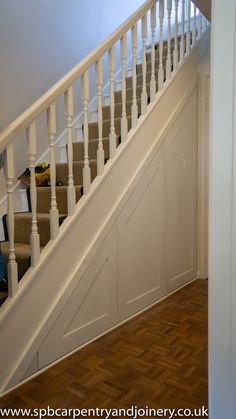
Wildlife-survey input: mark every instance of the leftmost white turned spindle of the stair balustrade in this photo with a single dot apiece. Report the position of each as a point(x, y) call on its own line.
point(12, 269)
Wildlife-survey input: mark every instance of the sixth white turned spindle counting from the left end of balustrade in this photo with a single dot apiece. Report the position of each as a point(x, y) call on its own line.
point(100, 151)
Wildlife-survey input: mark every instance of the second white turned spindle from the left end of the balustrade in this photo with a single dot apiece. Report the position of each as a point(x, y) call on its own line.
point(32, 151)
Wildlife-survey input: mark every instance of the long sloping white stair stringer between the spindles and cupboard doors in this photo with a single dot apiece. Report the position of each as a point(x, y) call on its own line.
point(64, 261)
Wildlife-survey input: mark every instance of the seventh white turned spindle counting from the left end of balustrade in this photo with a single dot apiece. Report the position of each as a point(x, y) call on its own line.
point(112, 136)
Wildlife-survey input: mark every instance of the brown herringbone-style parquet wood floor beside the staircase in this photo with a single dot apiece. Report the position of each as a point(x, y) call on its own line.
point(158, 359)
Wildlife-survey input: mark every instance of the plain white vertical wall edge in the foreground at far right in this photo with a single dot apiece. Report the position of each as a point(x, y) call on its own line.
point(222, 213)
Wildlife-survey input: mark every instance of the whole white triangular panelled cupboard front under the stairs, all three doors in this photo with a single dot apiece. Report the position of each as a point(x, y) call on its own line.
point(132, 269)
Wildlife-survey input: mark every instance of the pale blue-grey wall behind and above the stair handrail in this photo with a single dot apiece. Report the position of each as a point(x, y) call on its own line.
point(40, 40)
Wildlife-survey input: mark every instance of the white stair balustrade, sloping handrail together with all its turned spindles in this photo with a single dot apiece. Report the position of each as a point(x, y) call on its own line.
point(146, 31)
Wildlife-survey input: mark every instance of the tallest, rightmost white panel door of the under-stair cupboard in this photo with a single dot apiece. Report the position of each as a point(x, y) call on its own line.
point(181, 198)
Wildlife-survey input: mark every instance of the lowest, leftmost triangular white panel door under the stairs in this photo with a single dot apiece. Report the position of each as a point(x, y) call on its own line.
point(91, 309)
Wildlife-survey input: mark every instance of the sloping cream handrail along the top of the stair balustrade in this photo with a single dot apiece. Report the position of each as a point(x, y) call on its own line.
point(41, 104)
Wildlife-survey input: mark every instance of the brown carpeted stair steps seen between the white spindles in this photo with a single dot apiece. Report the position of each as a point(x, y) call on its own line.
point(23, 220)
